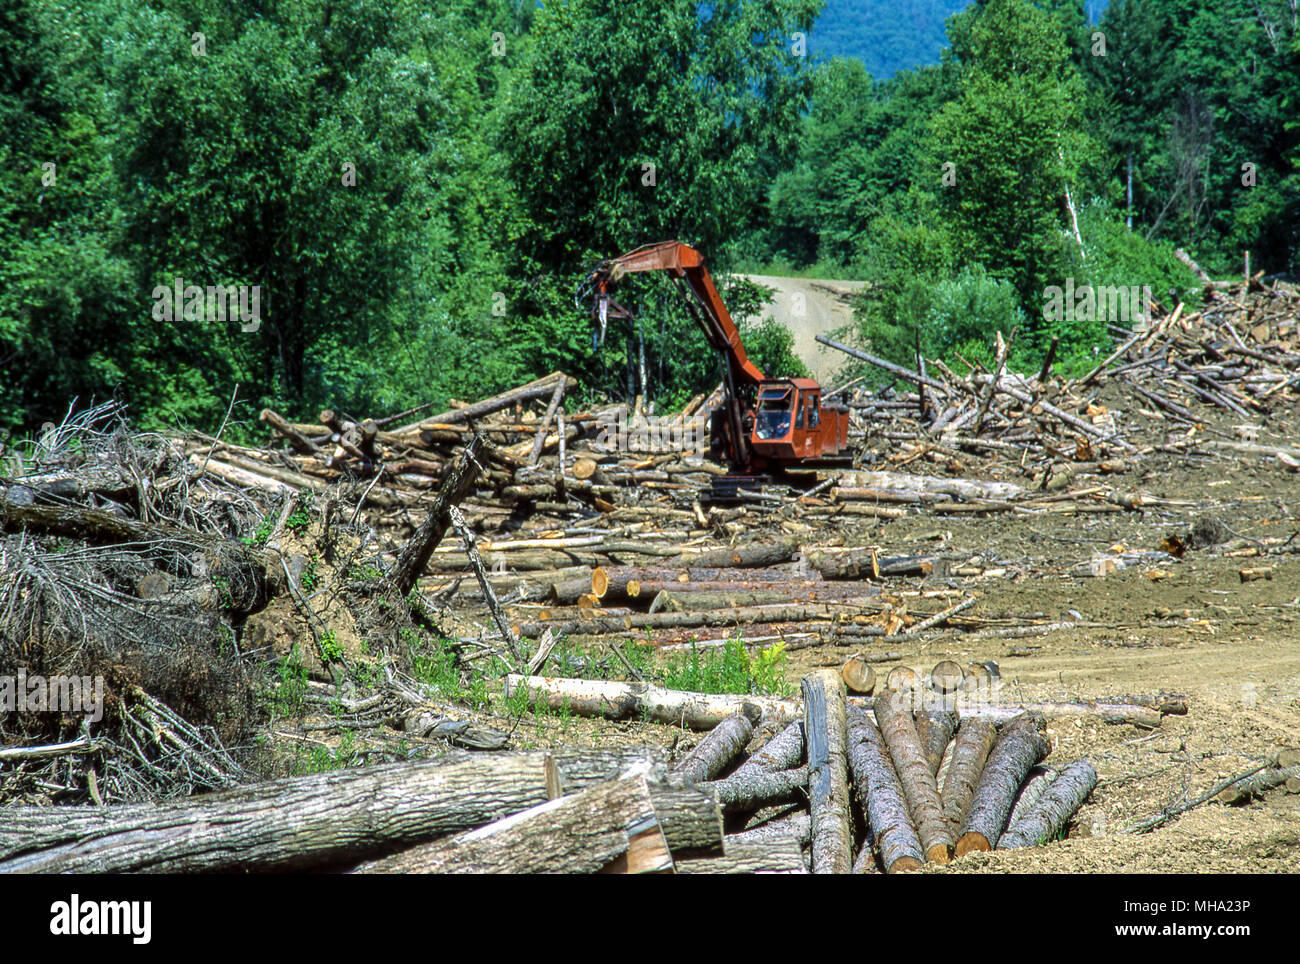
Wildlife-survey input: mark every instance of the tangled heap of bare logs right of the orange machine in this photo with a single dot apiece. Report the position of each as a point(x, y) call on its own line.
point(1238, 358)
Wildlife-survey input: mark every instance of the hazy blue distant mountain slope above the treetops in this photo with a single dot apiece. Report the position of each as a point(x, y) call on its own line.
point(887, 36)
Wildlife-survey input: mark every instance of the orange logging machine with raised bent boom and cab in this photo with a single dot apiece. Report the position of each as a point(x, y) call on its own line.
point(765, 427)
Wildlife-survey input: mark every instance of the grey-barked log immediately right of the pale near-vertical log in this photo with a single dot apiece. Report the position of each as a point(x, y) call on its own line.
point(890, 830)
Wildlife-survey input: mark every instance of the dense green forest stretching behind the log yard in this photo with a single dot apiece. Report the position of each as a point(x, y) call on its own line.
point(413, 192)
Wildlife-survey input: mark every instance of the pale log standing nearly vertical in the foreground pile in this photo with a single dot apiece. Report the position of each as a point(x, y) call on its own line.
point(826, 731)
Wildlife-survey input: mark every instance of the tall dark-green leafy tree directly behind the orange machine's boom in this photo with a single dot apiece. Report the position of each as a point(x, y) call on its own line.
point(634, 124)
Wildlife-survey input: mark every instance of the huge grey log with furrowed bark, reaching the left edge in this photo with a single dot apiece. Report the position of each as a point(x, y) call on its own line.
point(301, 823)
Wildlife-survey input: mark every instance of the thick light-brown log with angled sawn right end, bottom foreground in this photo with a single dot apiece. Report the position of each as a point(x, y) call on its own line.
point(582, 833)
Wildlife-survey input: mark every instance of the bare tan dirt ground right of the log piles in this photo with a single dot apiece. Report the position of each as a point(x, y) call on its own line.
point(1159, 624)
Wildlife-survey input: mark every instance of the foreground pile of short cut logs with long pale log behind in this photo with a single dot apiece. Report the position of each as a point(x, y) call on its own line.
point(844, 765)
